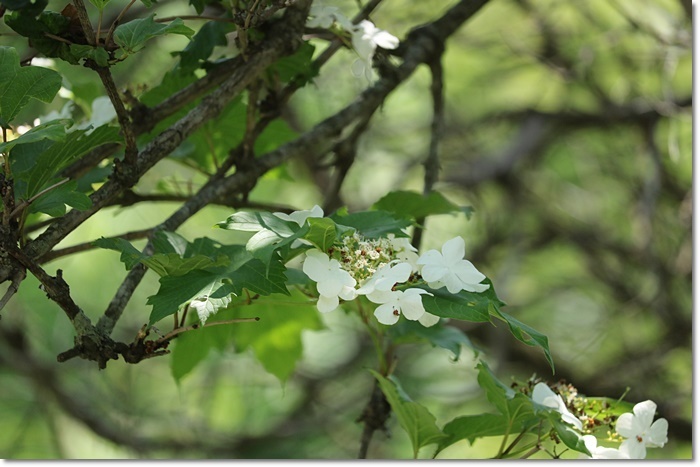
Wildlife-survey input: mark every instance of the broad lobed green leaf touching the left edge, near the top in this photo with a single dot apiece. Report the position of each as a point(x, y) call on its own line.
point(18, 85)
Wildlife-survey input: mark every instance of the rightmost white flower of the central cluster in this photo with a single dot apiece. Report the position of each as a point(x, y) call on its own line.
point(450, 269)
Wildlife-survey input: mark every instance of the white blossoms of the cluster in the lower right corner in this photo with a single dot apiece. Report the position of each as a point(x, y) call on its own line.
point(635, 428)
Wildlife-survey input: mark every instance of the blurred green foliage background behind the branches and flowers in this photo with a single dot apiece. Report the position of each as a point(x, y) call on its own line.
point(567, 128)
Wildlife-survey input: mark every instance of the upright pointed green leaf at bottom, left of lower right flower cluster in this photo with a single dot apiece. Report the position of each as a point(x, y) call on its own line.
point(414, 418)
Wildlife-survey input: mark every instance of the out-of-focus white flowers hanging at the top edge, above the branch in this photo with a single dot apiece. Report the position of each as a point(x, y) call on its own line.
point(366, 37)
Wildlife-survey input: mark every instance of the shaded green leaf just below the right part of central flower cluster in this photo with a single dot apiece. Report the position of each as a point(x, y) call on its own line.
point(439, 335)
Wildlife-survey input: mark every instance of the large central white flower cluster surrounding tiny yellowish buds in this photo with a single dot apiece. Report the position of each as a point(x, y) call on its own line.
point(375, 267)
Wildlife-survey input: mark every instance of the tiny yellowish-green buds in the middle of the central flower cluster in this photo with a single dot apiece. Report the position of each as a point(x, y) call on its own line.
point(362, 257)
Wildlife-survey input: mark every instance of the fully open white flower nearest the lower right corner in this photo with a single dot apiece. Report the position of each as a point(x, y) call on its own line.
point(640, 431)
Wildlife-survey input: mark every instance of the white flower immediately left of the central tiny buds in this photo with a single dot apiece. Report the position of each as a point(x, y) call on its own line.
point(332, 282)
